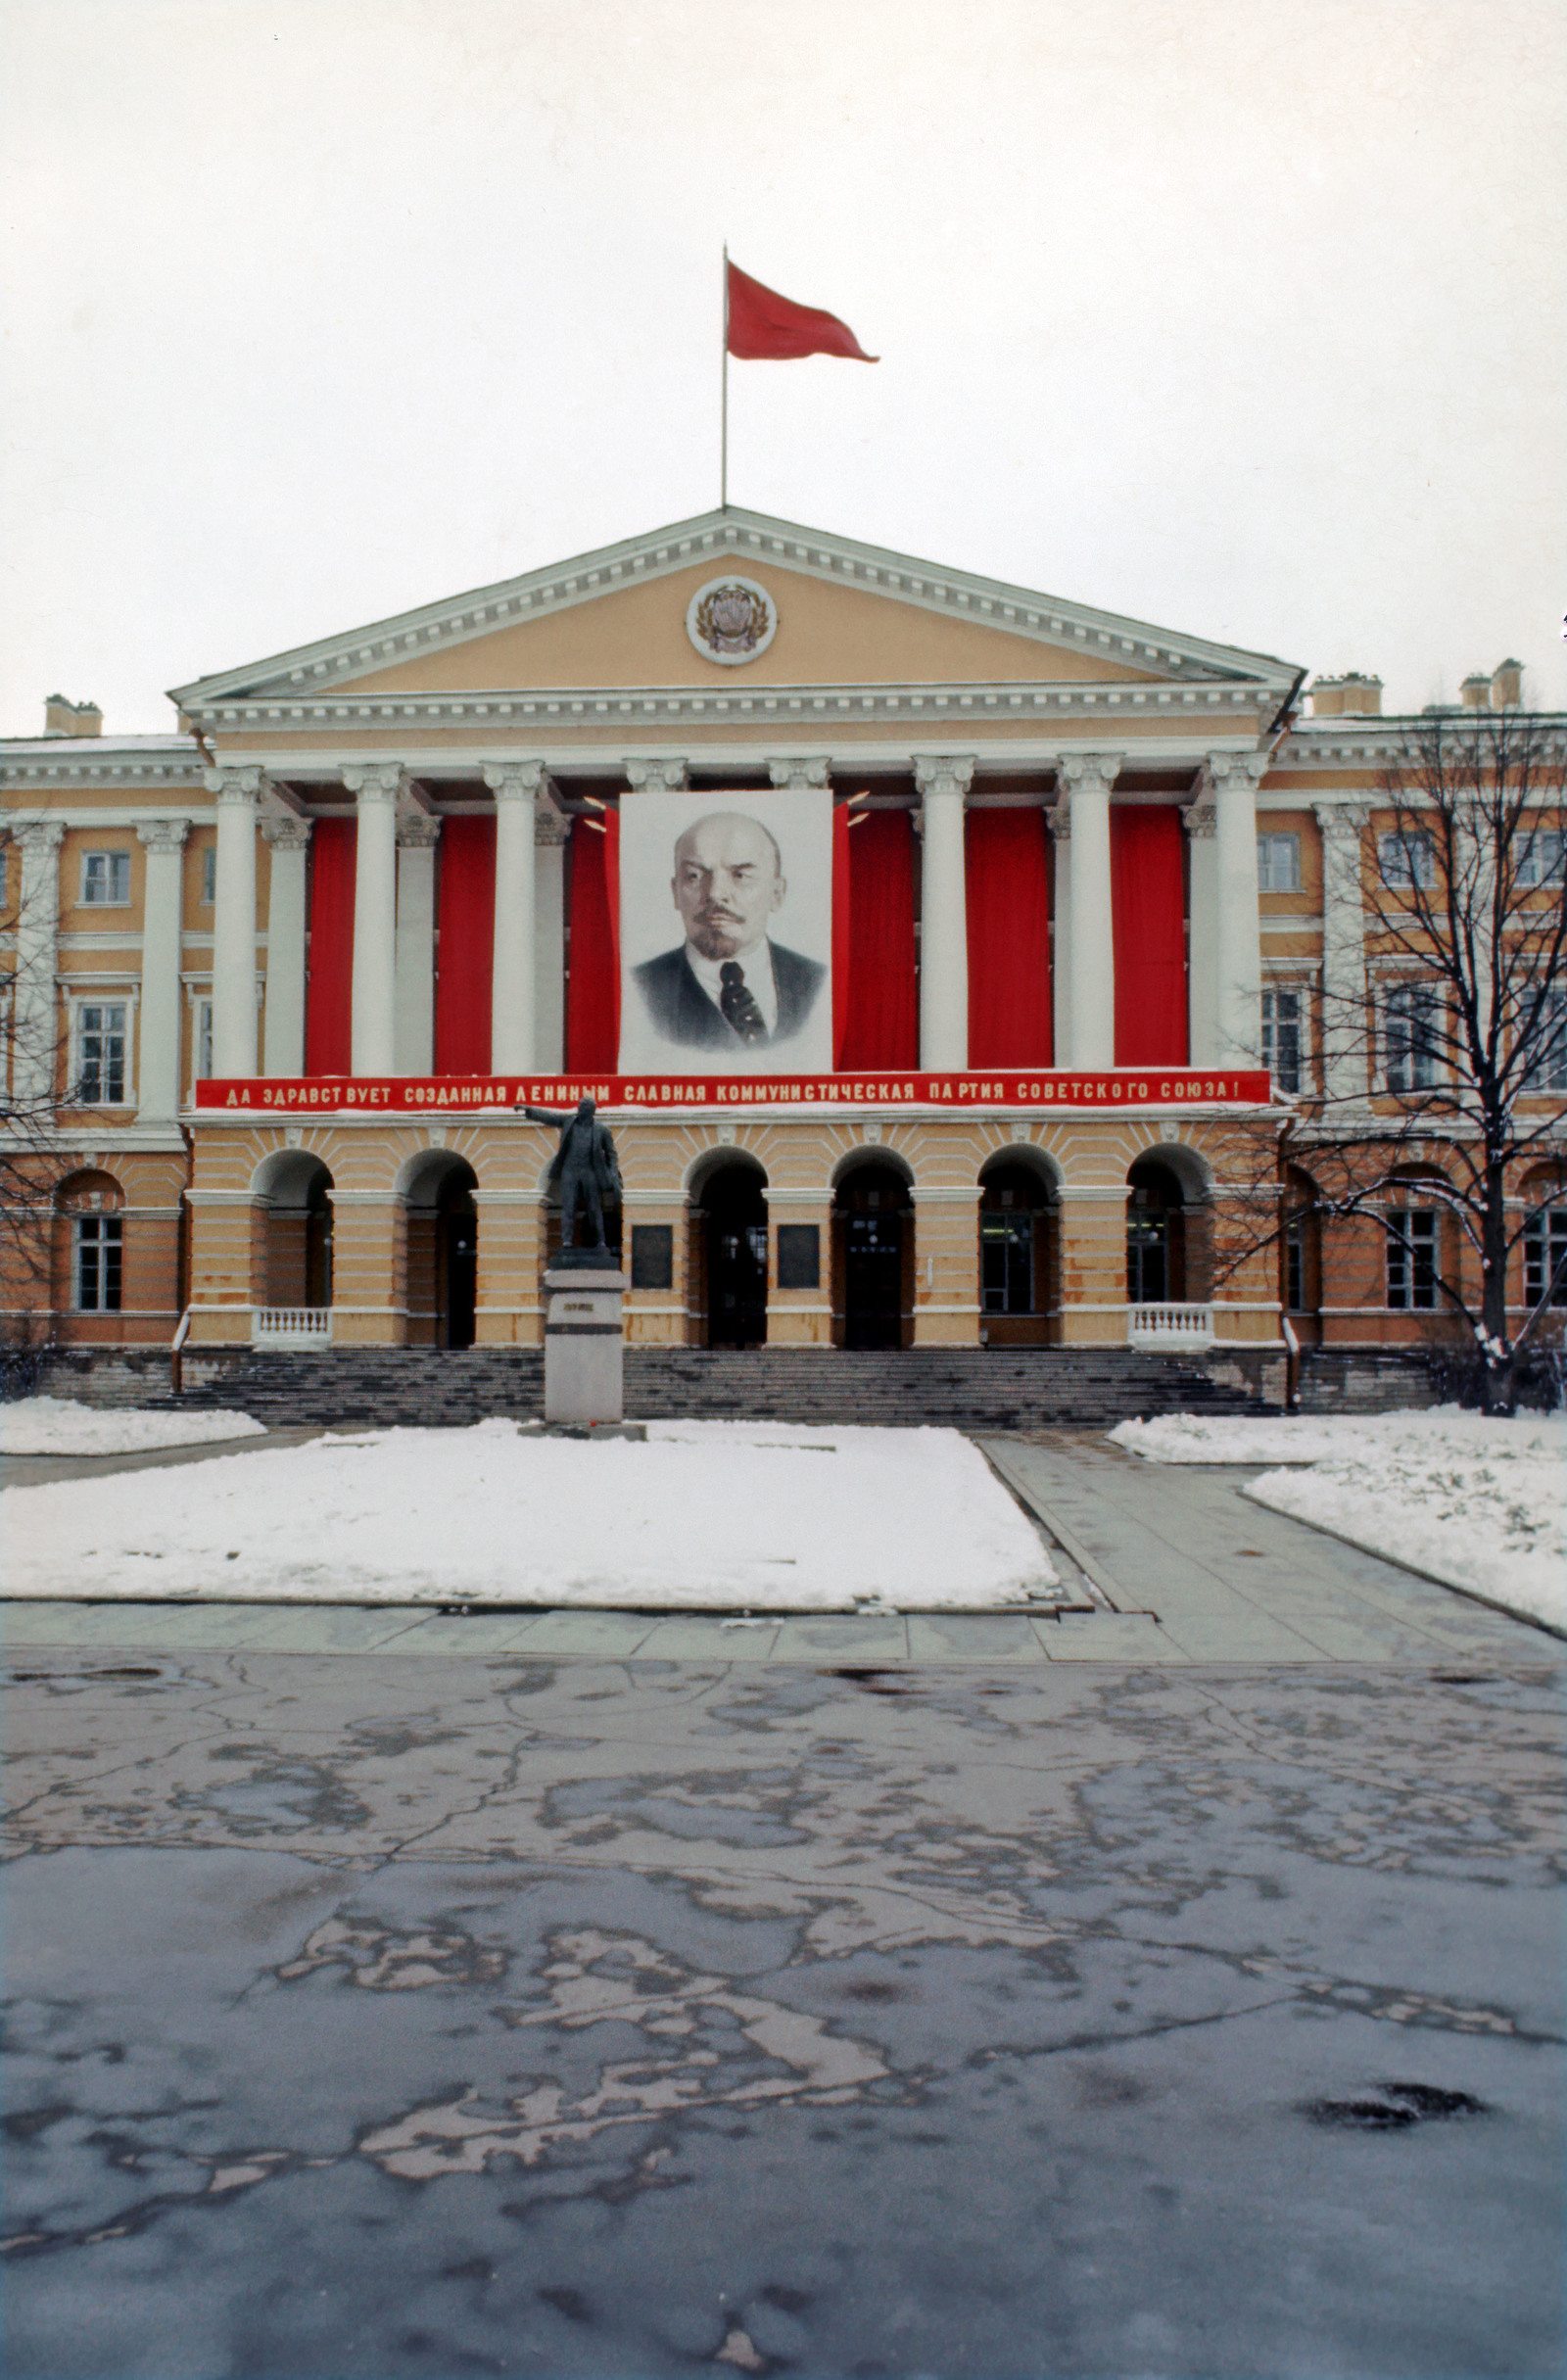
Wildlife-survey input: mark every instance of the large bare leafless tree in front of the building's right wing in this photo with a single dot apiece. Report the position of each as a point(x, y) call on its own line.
point(1447, 1051)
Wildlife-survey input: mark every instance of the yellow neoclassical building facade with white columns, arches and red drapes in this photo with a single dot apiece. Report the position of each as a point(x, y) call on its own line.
point(287, 977)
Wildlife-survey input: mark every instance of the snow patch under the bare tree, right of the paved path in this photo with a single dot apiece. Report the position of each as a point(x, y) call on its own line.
point(1473, 1501)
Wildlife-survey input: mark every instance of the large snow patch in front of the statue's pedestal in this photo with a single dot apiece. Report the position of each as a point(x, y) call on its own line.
point(701, 1517)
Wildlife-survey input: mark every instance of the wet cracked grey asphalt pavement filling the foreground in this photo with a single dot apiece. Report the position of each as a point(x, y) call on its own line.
point(563, 2015)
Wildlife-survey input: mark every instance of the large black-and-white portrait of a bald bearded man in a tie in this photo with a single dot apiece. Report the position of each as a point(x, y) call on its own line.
point(728, 932)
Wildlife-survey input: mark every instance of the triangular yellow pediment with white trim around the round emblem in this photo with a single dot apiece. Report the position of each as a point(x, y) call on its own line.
point(847, 615)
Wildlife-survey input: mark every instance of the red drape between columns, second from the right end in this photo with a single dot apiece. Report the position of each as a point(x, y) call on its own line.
point(1009, 898)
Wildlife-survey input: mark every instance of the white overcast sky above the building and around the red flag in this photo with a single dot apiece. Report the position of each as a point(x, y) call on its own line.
point(1232, 315)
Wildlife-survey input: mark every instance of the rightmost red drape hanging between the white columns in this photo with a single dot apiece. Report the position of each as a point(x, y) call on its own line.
point(1149, 906)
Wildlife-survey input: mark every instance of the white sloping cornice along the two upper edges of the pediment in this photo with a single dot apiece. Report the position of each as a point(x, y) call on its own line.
point(751, 537)
